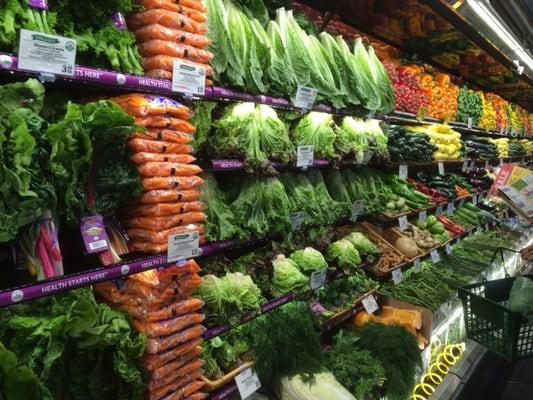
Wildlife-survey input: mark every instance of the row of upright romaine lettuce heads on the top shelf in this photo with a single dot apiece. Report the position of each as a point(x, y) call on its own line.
point(262, 56)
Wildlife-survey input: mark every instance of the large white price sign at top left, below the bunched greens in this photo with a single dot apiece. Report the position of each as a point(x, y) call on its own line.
point(41, 52)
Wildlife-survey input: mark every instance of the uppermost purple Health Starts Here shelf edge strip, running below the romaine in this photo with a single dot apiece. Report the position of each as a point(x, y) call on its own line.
point(120, 81)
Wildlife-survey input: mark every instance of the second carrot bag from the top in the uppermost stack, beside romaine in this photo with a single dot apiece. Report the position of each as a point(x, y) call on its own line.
point(166, 18)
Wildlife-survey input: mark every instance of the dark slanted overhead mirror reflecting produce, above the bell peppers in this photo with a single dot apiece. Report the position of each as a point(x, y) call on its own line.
point(438, 35)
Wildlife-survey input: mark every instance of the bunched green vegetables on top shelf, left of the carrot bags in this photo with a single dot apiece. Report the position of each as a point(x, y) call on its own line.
point(99, 42)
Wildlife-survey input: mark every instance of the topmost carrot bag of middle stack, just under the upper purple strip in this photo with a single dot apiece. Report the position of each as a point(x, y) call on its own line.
point(142, 105)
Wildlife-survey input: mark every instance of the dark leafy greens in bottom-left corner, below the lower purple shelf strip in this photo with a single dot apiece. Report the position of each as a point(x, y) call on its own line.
point(78, 349)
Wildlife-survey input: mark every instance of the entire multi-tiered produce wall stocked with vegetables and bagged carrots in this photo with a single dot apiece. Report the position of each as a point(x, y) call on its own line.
point(159, 236)
